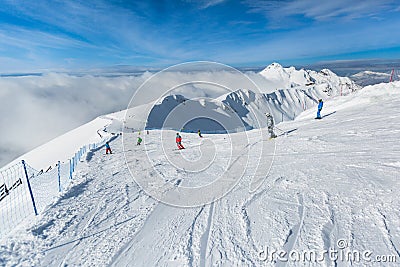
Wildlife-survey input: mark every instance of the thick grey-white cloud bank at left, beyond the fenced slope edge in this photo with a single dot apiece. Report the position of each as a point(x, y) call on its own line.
point(37, 109)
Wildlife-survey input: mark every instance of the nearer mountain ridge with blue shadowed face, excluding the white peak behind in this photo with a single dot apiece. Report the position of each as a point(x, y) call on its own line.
point(236, 111)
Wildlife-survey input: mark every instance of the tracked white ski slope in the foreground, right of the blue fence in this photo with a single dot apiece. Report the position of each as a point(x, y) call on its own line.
point(331, 180)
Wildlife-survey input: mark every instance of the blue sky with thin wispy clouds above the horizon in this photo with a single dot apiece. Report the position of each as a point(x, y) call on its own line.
point(72, 35)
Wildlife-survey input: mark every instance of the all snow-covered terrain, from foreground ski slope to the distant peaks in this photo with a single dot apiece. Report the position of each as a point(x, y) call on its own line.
point(323, 193)
